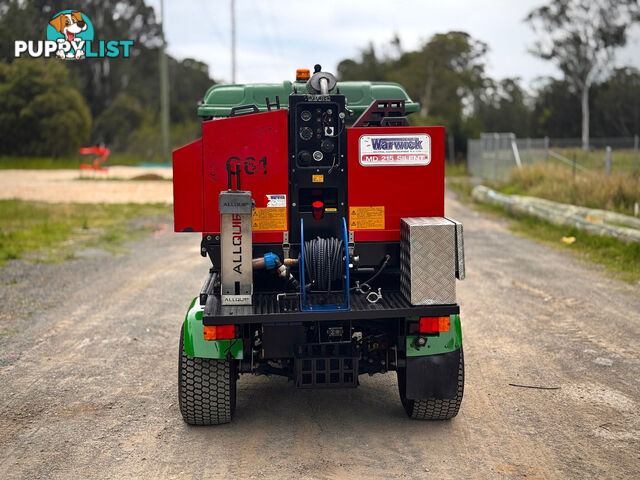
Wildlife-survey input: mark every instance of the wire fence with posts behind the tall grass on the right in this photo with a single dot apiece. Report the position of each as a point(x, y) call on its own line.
point(494, 155)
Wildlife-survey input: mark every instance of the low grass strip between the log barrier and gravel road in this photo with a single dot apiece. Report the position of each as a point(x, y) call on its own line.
point(620, 259)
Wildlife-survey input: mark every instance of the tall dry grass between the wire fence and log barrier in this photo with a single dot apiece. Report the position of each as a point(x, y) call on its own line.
point(616, 192)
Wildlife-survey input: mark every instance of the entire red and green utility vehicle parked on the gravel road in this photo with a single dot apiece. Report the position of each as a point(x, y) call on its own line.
point(330, 253)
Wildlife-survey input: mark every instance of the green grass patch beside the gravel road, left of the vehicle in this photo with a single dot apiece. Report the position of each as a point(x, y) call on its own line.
point(53, 232)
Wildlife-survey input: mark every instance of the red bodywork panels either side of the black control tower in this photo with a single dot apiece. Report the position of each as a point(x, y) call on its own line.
point(258, 143)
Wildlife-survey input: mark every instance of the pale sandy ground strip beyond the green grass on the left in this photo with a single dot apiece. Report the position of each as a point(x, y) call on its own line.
point(87, 187)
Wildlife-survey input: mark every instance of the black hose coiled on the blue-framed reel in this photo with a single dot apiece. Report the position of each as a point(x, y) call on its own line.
point(324, 261)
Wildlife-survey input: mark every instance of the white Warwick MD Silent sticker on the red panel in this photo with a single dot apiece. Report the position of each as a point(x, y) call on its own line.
point(401, 149)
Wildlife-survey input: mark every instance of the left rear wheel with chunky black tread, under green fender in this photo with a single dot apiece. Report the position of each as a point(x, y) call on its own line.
point(206, 388)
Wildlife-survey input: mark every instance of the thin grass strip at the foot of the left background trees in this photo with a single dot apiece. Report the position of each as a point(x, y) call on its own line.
point(69, 163)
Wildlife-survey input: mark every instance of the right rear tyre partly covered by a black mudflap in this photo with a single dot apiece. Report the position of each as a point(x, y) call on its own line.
point(433, 408)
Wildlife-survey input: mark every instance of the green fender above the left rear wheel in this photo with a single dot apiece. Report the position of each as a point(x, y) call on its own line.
point(196, 346)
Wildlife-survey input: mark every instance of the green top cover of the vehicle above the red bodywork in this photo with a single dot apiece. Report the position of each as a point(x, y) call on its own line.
point(220, 99)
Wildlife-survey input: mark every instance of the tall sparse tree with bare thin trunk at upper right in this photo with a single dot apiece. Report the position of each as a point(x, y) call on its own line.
point(580, 37)
